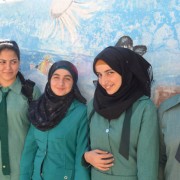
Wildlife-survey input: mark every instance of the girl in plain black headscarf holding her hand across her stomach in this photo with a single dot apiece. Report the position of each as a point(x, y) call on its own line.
point(123, 119)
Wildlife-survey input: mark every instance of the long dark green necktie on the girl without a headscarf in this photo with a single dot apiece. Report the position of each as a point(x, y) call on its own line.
point(4, 135)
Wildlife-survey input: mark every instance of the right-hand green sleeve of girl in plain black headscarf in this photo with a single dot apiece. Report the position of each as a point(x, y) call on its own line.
point(148, 144)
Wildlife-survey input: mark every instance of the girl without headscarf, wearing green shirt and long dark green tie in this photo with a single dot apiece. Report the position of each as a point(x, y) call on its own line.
point(14, 104)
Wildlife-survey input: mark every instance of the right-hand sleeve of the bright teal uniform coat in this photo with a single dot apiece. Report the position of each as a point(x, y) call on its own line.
point(82, 143)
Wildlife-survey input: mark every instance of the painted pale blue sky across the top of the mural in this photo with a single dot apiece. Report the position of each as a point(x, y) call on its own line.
point(154, 23)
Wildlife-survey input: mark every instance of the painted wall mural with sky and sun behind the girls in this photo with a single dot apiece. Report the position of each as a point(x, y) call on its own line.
point(76, 30)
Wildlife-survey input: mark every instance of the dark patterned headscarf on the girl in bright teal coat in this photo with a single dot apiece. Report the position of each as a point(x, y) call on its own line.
point(50, 109)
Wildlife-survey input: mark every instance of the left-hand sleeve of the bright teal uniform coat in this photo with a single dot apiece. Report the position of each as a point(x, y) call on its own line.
point(28, 155)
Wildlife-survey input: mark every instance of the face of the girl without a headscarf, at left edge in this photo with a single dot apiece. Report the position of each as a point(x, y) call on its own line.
point(9, 67)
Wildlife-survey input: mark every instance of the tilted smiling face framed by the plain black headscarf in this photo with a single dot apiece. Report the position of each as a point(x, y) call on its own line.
point(109, 79)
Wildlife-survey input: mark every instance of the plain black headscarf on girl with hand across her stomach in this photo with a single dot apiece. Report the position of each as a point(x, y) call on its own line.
point(136, 75)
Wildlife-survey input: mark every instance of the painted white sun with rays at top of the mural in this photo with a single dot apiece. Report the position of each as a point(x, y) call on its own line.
point(67, 15)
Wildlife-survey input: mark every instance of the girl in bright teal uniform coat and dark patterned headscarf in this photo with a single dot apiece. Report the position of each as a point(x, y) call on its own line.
point(57, 137)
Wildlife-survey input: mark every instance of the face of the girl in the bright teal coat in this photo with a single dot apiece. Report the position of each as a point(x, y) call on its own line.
point(61, 82)
